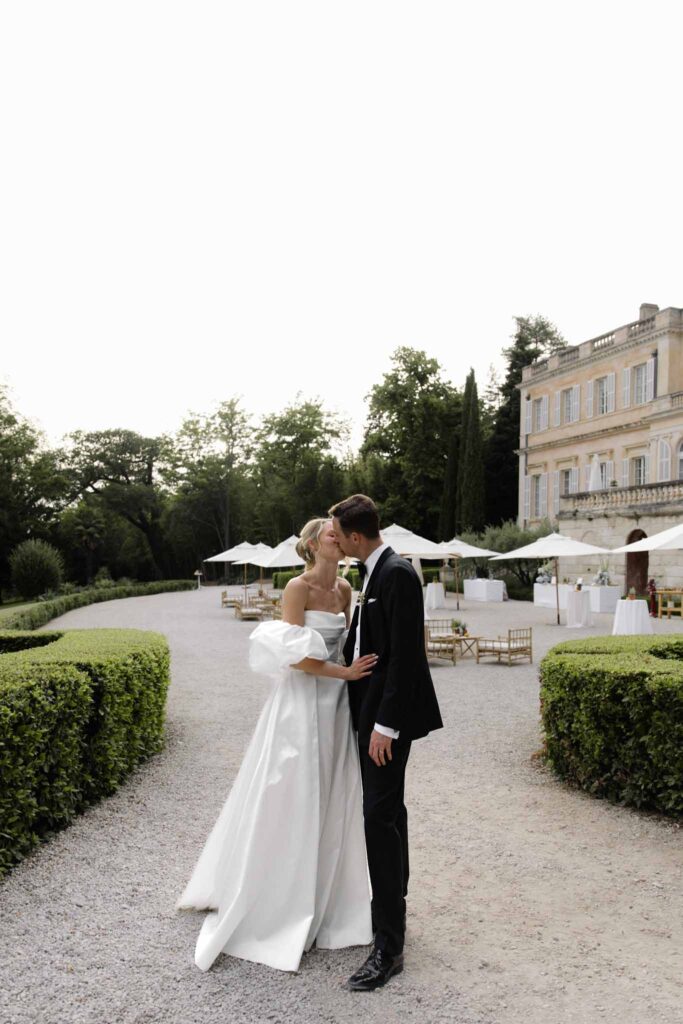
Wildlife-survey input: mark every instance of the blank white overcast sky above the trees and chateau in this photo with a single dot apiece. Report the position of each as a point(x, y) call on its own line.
point(201, 200)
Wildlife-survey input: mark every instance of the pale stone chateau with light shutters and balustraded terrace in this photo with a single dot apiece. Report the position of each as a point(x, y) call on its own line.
point(618, 397)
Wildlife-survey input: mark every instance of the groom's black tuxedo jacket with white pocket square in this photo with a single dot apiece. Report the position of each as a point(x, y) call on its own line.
point(400, 694)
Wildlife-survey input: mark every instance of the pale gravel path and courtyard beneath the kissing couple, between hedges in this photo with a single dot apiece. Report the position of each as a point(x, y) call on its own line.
point(531, 903)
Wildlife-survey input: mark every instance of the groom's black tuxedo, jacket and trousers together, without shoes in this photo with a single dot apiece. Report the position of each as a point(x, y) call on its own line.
point(399, 695)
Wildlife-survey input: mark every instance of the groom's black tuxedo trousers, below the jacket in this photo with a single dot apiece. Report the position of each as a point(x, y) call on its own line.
point(387, 840)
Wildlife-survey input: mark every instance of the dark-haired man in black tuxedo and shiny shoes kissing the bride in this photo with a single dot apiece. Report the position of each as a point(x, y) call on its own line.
point(390, 709)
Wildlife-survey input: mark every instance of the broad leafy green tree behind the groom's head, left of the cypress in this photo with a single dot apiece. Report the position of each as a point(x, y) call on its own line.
point(413, 416)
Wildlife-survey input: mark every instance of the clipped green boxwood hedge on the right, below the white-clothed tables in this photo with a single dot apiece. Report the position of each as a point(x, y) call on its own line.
point(613, 716)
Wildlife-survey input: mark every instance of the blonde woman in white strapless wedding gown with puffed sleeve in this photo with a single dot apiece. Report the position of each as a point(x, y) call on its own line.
point(285, 864)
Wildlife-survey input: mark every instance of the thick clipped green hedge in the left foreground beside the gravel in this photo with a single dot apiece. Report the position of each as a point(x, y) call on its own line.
point(78, 712)
